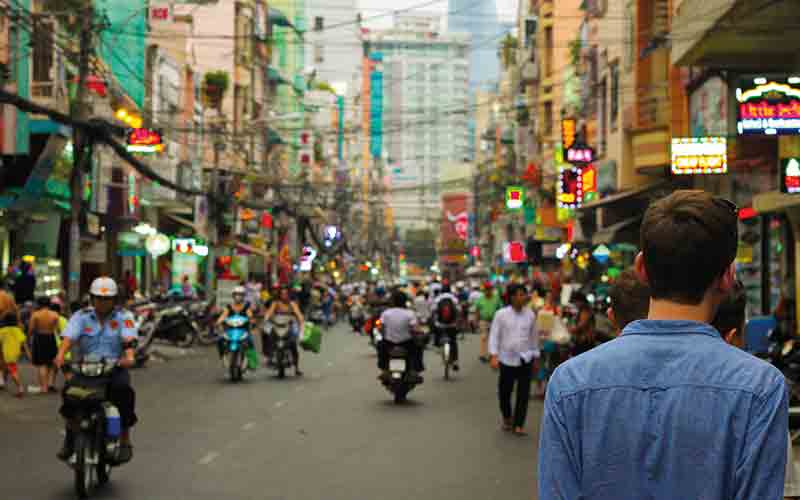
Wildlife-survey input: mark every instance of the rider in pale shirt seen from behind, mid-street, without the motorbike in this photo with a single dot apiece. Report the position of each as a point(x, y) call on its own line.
point(399, 325)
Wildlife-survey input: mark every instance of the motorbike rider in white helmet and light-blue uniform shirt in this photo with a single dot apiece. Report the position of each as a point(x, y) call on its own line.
point(107, 331)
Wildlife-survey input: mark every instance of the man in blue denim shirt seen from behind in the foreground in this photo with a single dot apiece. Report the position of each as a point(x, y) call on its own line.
point(669, 410)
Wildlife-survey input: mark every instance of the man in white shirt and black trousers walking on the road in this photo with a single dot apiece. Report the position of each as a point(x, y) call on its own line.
point(513, 344)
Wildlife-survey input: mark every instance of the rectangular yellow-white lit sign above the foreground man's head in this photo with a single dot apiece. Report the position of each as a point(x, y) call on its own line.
point(699, 155)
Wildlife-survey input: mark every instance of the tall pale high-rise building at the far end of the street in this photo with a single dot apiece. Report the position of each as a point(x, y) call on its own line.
point(425, 100)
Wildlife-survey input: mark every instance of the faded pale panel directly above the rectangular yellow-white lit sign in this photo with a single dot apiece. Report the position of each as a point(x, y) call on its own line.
point(708, 108)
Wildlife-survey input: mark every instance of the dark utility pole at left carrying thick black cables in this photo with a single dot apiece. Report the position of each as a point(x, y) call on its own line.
point(81, 154)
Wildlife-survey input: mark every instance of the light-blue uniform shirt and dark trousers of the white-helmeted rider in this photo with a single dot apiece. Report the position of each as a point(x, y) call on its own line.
point(106, 339)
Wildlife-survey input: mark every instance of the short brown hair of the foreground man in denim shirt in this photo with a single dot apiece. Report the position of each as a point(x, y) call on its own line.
point(688, 240)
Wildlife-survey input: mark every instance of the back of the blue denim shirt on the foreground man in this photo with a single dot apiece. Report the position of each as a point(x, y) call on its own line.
point(671, 406)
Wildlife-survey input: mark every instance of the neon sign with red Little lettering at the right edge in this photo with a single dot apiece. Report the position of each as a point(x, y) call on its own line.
point(768, 106)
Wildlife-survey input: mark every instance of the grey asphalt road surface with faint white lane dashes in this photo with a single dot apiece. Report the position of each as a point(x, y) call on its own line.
point(333, 434)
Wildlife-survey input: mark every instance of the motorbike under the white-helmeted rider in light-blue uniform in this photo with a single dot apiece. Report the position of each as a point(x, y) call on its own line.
point(97, 422)
